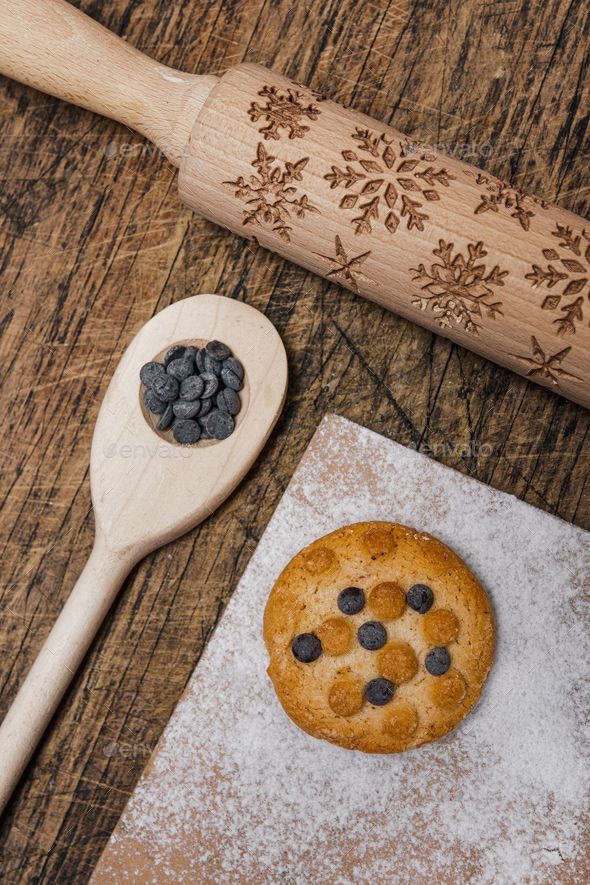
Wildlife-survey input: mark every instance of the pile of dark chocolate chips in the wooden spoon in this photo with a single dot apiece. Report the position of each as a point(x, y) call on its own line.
point(195, 391)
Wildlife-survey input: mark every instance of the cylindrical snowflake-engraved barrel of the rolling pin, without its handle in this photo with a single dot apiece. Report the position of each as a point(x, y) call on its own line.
point(424, 234)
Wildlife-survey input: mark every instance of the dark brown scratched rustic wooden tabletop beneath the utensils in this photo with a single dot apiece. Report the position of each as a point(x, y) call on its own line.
point(94, 240)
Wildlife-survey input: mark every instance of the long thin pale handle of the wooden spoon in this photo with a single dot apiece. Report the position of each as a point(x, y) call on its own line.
point(57, 662)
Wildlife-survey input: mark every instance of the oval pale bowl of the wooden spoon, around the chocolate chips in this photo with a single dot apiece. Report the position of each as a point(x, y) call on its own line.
point(148, 489)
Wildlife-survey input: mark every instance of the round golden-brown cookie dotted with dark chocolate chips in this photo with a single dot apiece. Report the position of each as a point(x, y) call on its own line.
point(380, 638)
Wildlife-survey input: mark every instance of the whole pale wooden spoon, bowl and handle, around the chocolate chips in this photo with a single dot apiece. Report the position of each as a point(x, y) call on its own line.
point(146, 491)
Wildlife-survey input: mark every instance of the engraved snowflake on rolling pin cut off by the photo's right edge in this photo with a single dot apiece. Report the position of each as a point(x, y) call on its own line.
point(571, 275)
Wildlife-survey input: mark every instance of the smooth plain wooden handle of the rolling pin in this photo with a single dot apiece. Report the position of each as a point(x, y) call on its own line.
point(52, 46)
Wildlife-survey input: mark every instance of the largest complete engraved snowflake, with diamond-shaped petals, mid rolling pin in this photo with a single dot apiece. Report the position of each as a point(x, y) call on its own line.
point(384, 183)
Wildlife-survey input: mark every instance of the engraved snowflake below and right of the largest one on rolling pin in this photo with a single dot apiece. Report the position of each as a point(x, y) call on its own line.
point(458, 289)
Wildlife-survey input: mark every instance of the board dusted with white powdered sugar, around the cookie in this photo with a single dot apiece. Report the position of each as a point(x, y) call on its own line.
point(236, 792)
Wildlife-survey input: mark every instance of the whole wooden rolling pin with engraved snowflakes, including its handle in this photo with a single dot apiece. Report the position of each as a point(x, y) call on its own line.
point(427, 236)
